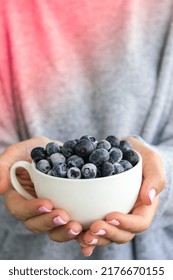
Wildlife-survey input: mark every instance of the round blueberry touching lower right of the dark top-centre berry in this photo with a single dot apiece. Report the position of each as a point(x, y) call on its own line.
point(99, 156)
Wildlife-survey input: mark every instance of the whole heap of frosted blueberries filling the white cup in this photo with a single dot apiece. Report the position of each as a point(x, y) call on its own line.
point(85, 158)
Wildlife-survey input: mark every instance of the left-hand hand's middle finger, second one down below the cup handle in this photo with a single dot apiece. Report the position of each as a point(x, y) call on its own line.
point(47, 221)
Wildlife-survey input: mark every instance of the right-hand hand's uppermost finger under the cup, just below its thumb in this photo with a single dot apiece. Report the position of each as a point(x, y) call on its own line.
point(138, 221)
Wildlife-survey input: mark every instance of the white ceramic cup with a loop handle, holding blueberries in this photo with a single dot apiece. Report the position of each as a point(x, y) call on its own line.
point(86, 200)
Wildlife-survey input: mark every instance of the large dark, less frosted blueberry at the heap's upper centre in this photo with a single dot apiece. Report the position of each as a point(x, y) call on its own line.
point(84, 148)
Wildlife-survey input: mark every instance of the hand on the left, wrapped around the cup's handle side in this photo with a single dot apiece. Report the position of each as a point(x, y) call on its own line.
point(37, 215)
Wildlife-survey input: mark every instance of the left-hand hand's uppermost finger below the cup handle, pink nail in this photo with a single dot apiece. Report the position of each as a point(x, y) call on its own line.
point(22, 208)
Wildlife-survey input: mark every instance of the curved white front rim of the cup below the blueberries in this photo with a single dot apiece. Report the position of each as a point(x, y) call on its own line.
point(90, 180)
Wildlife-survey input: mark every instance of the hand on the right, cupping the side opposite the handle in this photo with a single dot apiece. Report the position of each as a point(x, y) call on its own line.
point(121, 228)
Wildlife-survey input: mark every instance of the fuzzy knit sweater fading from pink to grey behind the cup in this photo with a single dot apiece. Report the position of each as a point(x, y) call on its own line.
point(69, 68)
